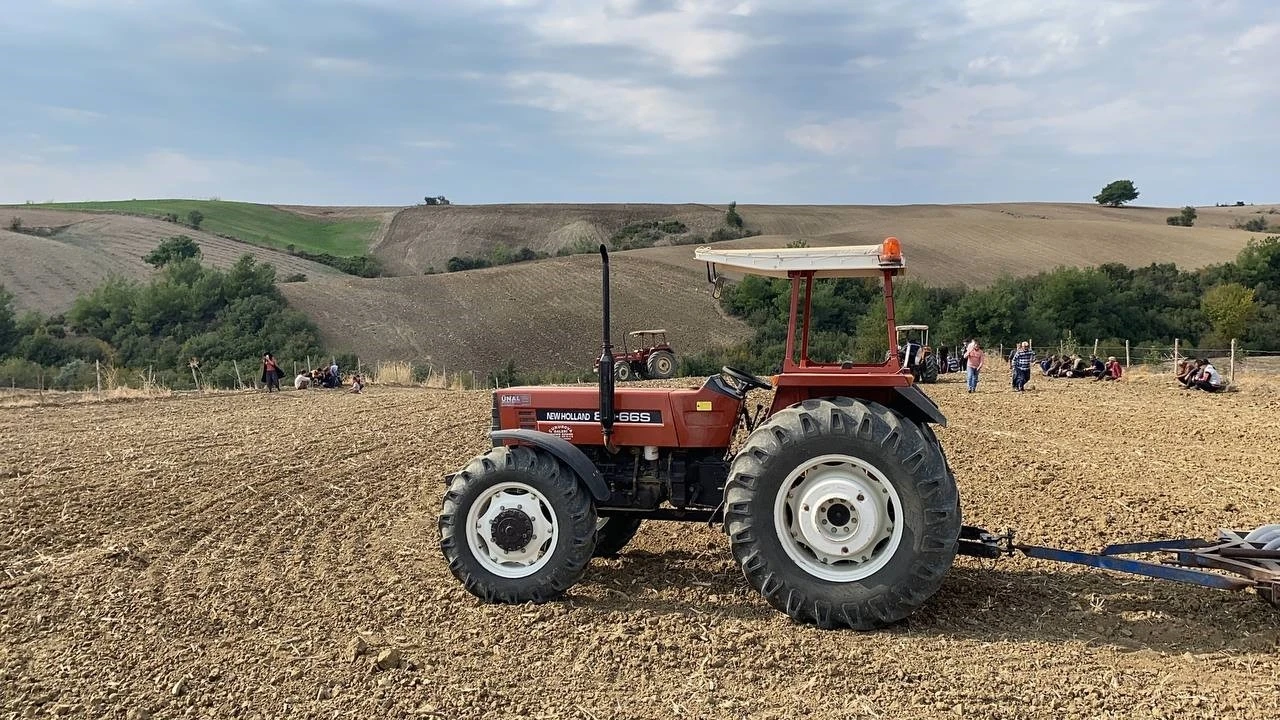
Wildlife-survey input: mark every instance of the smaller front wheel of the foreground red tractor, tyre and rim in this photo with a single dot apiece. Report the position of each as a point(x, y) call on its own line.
point(516, 526)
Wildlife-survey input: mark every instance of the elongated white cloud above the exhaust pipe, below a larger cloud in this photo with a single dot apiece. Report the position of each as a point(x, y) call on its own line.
point(614, 107)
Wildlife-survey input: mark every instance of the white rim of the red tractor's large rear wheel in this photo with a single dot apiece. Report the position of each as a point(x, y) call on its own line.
point(839, 518)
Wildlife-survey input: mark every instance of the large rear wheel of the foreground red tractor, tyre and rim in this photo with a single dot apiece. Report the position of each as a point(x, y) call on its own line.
point(843, 513)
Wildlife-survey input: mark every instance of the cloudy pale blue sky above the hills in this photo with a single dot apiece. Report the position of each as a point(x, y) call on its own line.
point(876, 102)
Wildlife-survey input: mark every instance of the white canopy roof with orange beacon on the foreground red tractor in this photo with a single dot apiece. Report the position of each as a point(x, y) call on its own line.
point(840, 262)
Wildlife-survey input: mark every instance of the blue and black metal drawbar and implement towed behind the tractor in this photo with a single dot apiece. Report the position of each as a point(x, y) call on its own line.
point(1254, 555)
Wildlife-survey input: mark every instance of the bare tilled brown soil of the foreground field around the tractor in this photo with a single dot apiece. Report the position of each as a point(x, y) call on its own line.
point(204, 558)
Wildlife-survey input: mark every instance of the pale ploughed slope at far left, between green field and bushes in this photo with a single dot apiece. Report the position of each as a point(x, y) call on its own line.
point(48, 274)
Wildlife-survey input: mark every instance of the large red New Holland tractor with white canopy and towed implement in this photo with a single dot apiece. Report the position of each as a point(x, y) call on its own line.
point(840, 507)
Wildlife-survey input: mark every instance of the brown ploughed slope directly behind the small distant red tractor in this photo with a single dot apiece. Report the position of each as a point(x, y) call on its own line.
point(543, 316)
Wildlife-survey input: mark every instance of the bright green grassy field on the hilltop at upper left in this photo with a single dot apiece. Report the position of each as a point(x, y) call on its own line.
point(339, 231)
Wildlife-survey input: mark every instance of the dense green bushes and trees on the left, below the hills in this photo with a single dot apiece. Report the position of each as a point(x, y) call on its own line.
point(185, 313)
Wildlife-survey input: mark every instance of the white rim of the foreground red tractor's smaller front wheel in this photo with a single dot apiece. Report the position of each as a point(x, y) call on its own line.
point(519, 563)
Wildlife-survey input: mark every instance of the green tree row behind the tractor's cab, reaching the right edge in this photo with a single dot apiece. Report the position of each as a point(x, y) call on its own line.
point(1156, 304)
